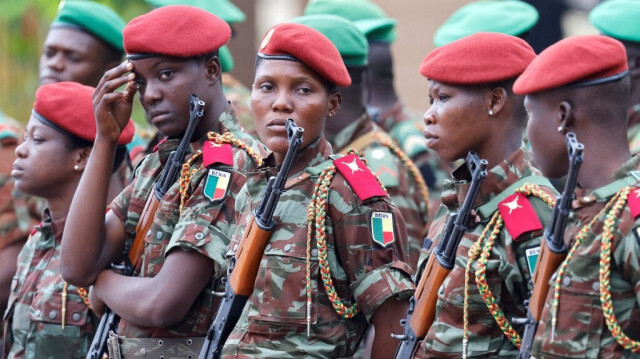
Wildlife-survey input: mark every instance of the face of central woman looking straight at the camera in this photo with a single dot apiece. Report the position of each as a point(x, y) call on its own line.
point(288, 89)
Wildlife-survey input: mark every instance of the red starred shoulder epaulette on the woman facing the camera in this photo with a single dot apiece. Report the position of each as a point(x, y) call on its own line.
point(359, 176)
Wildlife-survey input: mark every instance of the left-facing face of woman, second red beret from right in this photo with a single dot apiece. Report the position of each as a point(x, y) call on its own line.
point(456, 122)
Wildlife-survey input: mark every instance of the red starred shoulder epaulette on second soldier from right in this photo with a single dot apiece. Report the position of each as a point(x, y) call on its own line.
point(518, 215)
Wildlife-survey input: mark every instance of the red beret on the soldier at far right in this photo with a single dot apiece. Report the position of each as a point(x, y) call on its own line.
point(579, 60)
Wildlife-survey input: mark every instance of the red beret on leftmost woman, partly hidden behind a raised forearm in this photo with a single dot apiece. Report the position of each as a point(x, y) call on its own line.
point(69, 106)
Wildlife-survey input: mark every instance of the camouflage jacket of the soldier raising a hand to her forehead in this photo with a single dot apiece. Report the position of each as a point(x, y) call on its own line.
point(203, 226)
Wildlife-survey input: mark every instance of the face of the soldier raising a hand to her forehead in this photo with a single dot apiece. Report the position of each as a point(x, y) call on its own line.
point(164, 85)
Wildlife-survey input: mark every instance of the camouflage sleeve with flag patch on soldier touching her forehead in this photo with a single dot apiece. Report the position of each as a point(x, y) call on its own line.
point(205, 224)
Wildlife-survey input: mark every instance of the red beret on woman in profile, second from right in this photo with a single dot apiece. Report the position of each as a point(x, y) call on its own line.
point(481, 58)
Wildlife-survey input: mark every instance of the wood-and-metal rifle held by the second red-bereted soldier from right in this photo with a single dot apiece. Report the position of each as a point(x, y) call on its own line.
point(422, 305)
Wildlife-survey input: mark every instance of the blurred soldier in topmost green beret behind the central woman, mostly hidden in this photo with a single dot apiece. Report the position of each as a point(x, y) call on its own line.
point(383, 103)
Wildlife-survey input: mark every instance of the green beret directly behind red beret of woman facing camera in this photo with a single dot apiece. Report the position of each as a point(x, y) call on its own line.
point(350, 41)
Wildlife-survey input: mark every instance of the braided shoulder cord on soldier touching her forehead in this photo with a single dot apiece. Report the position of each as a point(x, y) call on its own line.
point(187, 172)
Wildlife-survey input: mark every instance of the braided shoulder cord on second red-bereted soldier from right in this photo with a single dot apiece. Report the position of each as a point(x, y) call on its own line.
point(480, 252)
